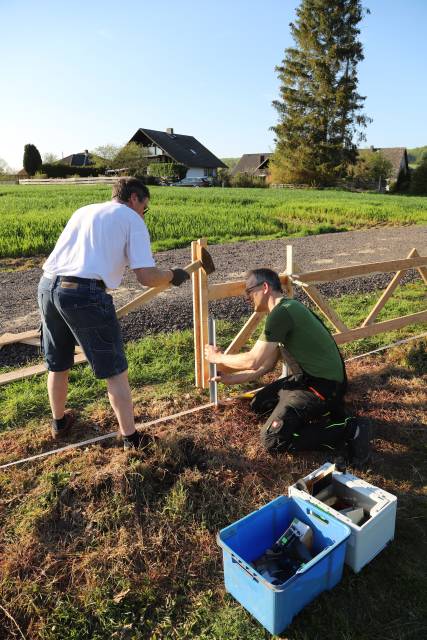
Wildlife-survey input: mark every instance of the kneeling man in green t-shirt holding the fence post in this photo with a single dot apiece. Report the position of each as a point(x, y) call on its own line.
point(306, 408)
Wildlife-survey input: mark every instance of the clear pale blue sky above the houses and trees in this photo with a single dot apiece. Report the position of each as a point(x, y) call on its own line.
point(78, 75)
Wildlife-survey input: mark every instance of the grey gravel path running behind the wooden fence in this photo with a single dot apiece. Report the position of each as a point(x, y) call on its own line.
point(172, 309)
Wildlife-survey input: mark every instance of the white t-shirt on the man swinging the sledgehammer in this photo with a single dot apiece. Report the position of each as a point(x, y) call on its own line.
point(99, 241)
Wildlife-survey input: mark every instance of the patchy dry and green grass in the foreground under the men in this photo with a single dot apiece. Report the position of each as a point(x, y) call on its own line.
point(97, 544)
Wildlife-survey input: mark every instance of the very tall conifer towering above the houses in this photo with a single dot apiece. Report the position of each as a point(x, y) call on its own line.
point(319, 107)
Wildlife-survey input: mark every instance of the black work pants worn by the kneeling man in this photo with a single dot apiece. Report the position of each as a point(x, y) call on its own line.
point(305, 414)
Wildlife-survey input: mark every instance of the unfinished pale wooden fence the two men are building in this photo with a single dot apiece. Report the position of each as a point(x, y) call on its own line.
point(203, 292)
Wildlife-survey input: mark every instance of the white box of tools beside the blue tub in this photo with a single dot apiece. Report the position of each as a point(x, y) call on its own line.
point(375, 528)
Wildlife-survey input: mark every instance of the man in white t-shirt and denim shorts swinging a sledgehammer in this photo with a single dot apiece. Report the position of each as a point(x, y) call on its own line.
point(91, 254)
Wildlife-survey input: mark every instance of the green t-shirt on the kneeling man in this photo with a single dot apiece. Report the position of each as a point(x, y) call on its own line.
point(292, 325)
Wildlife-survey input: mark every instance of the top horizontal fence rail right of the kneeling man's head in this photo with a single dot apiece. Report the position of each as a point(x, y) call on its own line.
point(326, 275)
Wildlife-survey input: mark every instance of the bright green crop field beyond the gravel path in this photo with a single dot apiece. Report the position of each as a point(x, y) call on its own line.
point(32, 217)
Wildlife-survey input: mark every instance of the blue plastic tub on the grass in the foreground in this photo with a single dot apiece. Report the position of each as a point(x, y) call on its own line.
point(247, 539)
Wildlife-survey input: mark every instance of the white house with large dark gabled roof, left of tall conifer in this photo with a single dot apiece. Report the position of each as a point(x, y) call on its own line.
point(168, 146)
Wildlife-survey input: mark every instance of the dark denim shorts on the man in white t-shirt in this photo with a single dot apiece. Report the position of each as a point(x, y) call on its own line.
point(80, 313)
